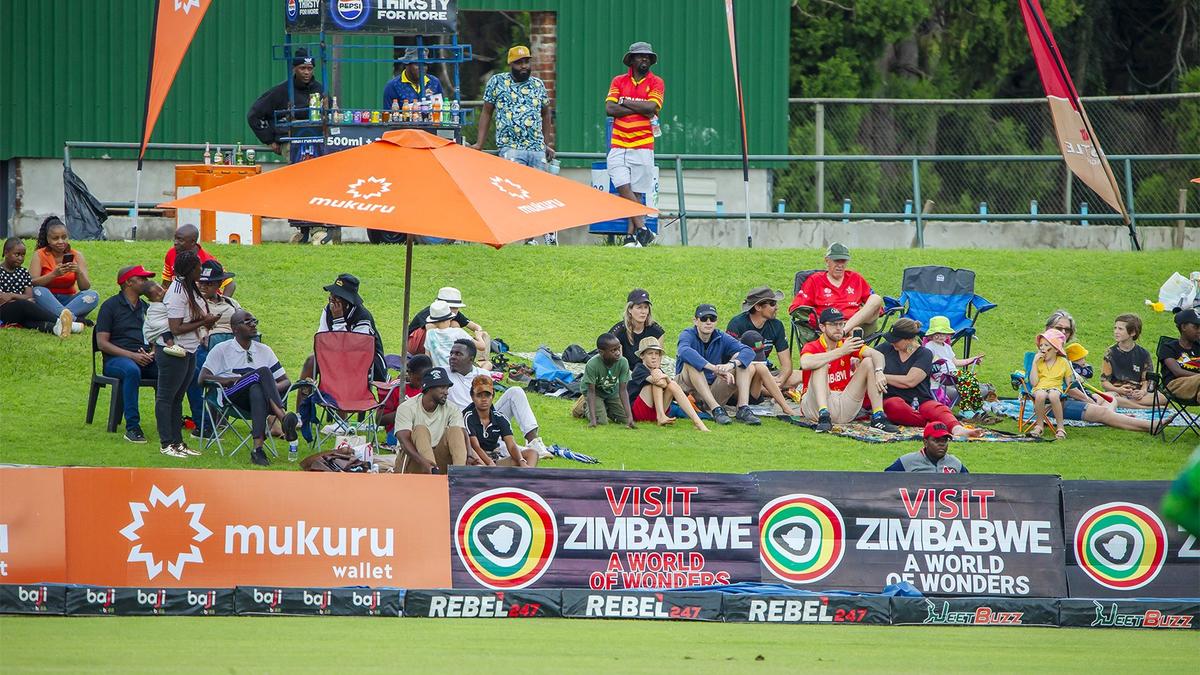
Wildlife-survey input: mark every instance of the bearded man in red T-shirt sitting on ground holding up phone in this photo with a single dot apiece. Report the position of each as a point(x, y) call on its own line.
point(847, 372)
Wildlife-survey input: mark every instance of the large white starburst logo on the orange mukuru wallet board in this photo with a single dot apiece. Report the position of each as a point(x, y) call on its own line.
point(166, 546)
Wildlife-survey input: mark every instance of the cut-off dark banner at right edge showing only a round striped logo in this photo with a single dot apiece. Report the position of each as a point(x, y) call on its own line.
point(1120, 546)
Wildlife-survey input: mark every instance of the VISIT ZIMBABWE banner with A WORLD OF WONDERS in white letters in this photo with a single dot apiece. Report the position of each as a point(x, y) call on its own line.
point(956, 535)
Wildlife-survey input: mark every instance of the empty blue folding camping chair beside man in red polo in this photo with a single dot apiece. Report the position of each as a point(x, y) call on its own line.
point(933, 291)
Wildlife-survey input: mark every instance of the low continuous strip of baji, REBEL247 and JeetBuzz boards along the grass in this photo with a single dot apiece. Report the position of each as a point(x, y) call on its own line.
point(58, 600)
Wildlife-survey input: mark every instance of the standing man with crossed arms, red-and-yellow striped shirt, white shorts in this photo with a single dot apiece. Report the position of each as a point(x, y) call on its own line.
point(634, 101)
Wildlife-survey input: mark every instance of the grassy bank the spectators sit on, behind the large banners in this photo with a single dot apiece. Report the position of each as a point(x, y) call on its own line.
point(532, 295)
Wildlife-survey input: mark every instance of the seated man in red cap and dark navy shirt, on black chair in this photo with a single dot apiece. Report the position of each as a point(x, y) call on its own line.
point(119, 337)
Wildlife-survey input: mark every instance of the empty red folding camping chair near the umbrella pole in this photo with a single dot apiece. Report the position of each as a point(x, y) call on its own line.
point(344, 384)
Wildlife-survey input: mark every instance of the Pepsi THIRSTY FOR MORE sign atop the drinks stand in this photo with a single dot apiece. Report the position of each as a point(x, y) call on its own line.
point(387, 17)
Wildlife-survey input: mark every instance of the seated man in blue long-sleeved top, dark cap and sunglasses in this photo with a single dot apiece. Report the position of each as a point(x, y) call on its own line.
point(717, 368)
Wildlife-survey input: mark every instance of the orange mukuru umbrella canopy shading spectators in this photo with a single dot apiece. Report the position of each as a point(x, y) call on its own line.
point(417, 183)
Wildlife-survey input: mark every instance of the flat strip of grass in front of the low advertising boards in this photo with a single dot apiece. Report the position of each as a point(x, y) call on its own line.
point(555, 646)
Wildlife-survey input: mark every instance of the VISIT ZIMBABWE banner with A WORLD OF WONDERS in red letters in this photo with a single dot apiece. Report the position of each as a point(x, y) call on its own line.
point(602, 530)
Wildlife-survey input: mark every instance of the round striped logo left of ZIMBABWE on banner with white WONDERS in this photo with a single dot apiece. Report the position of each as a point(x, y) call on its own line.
point(802, 539)
